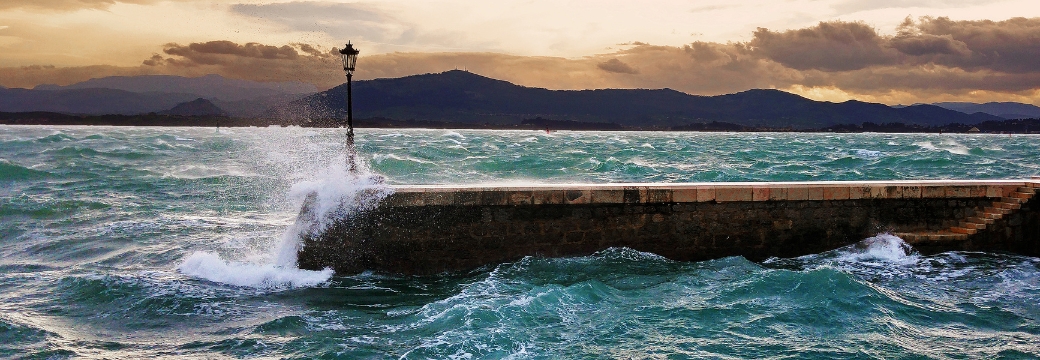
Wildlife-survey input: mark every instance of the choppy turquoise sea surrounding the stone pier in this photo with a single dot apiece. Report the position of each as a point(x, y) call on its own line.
point(151, 243)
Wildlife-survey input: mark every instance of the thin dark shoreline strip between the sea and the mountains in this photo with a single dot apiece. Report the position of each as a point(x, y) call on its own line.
point(1023, 126)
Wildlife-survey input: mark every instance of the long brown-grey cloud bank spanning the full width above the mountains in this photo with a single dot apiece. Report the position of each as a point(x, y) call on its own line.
point(934, 59)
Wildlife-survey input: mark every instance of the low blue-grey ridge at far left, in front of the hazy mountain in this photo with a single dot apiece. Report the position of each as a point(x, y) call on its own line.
point(89, 101)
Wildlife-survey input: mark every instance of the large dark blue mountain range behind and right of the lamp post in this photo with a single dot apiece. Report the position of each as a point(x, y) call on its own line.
point(460, 96)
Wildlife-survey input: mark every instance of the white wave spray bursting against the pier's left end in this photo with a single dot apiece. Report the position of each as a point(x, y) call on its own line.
point(333, 195)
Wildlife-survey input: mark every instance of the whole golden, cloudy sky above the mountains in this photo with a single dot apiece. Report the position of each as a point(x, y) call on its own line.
point(894, 53)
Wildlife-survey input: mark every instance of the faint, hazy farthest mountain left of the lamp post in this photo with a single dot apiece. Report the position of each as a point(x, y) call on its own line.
point(210, 87)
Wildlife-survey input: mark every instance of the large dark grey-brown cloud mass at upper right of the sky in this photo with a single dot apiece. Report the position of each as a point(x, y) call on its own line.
point(1011, 46)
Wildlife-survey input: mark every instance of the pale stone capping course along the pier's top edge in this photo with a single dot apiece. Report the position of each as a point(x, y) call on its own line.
point(698, 193)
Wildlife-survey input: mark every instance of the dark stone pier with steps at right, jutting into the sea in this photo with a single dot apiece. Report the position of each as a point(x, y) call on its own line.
point(430, 229)
